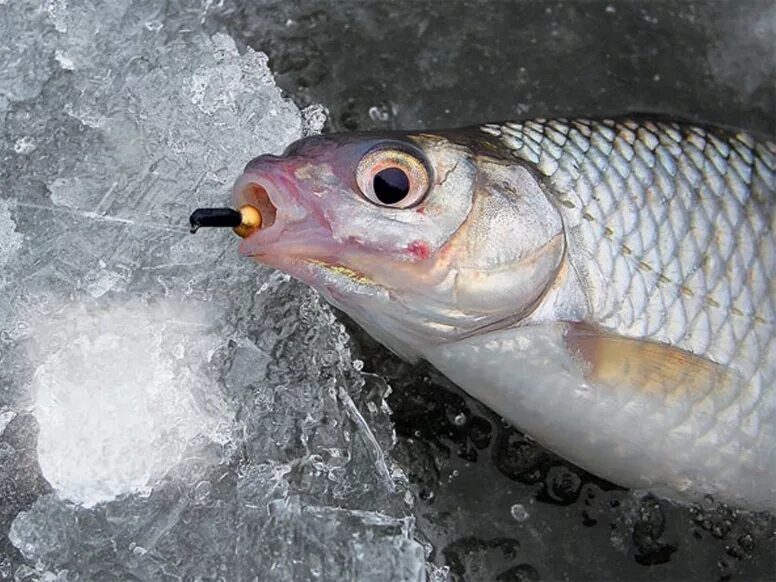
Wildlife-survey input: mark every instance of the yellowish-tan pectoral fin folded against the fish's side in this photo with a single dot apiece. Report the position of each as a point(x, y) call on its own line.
point(648, 366)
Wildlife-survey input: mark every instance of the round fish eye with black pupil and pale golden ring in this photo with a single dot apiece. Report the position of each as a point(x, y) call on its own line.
point(393, 178)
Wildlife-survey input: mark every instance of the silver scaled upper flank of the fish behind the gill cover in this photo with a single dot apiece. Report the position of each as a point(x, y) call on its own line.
point(626, 189)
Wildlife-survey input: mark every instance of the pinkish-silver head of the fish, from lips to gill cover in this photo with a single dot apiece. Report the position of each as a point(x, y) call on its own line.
point(422, 238)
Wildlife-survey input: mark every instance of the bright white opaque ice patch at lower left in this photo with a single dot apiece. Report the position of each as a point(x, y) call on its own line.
point(123, 395)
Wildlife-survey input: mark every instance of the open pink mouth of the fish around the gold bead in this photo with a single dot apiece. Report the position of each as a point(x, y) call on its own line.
point(295, 235)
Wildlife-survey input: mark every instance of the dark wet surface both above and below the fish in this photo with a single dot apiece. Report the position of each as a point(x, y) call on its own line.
point(491, 504)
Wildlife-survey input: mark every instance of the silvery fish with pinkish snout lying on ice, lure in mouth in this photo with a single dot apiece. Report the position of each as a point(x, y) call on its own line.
point(605, 285)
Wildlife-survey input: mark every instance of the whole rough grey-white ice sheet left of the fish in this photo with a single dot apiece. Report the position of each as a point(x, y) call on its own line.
point(168, 409)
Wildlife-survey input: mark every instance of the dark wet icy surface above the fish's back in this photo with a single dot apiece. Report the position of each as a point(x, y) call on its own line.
point(409, 64)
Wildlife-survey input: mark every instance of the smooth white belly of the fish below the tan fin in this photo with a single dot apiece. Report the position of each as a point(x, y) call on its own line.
point(676, 445)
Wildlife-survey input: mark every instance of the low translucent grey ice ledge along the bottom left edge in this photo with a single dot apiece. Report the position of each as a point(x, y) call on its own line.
point(287, 540)
